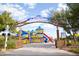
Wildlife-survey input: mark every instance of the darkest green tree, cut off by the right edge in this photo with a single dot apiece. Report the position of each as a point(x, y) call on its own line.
point(74, 18)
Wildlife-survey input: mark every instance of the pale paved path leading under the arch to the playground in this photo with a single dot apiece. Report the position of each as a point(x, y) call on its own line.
point(38, 49)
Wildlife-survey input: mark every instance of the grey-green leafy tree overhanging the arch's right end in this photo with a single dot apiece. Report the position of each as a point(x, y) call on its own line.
point(60, 19)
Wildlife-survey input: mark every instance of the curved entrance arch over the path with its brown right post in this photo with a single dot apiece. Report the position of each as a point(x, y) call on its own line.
point(26, 22)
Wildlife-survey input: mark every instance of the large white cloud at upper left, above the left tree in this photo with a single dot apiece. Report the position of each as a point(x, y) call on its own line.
point(16, 11)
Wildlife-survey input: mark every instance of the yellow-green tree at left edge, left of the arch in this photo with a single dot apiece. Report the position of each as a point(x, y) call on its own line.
point(6, 19)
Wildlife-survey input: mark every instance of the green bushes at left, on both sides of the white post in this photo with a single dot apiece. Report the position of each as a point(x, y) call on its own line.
point(11, 42)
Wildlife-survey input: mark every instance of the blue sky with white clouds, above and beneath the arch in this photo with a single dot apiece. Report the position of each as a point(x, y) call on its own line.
point(23, 11)
